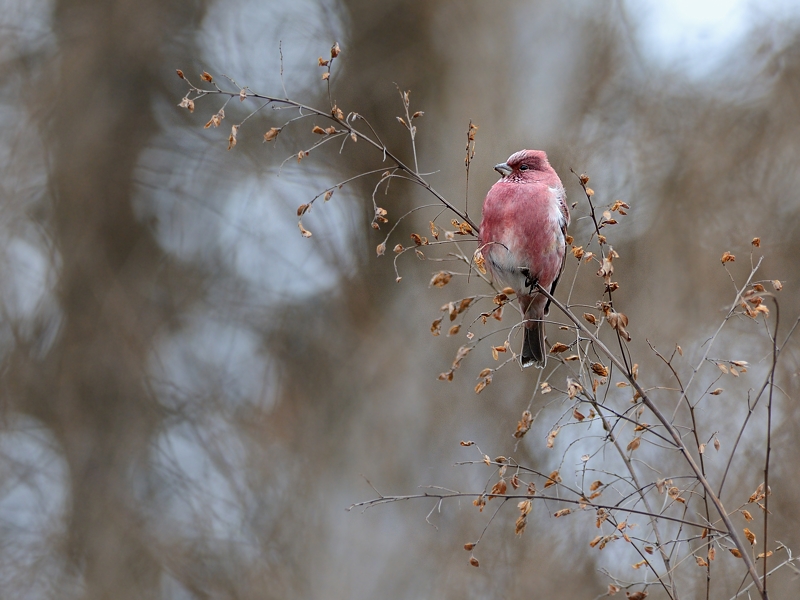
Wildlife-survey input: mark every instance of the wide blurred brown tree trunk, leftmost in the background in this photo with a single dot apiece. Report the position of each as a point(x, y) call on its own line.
point(89, 387)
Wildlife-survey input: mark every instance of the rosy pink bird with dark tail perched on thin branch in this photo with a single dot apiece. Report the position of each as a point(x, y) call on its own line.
point(523, 239)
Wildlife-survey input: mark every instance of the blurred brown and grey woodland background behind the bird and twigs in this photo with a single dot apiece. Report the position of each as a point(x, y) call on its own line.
point(193, 394)
